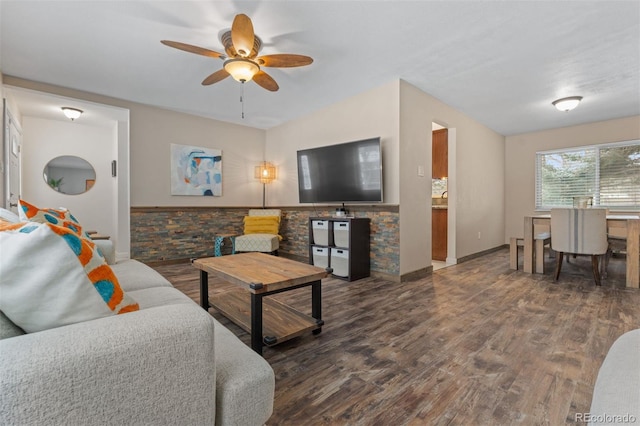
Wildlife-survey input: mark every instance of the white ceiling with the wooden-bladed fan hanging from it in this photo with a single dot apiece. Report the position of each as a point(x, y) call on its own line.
point(500, 62)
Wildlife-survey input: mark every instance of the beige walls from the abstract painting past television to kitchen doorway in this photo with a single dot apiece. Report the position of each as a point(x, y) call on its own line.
point(397, 112)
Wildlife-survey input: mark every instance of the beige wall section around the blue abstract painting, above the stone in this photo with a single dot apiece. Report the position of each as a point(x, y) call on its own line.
point(152, 130)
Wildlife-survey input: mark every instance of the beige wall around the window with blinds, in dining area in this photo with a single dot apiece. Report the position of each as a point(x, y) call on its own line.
point(520, 155)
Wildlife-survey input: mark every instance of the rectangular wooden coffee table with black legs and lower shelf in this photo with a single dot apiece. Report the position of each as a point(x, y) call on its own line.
point(258, 275)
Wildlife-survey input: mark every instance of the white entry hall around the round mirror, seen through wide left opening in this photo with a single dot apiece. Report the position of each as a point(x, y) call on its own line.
point(100, 136)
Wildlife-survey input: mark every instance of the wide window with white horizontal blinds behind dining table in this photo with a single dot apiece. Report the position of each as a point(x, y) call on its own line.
point(609, 173)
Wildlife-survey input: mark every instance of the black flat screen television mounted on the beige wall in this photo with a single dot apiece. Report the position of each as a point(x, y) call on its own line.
point(346, 172)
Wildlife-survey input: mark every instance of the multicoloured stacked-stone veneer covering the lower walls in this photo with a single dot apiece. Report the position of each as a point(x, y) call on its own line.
point(160, 234)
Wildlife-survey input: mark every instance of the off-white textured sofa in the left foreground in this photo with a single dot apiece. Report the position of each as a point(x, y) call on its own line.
point(169, 363)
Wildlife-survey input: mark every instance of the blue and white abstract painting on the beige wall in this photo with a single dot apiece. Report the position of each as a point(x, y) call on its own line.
point(196, 171)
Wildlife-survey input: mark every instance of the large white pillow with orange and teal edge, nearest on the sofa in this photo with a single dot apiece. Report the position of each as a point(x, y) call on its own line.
point(50, 277)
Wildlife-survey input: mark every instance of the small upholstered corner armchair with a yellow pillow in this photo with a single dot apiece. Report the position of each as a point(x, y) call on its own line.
point(261, 231)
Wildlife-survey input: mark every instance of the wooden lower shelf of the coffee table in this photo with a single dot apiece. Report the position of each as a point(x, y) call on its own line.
point(280, 322)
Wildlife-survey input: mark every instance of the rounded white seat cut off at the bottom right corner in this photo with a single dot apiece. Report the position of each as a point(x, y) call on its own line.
point(616, 396)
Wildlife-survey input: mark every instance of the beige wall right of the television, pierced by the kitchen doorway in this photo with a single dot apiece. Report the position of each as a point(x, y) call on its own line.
point(476, 179)
